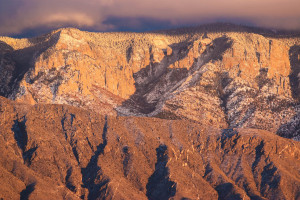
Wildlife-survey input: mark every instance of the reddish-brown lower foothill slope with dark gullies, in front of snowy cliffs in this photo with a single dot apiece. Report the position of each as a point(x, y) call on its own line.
point(63, 152)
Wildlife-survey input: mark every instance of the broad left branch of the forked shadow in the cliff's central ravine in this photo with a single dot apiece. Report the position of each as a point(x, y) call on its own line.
point(157, 76)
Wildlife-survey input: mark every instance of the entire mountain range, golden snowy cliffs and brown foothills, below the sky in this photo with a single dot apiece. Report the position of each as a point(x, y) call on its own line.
point(210, 112)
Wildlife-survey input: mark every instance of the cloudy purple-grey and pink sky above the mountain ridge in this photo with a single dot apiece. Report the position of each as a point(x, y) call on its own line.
point(33, 17)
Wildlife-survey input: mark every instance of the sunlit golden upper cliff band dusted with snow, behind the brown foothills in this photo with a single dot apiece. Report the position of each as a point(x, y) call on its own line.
point(223, 79)
